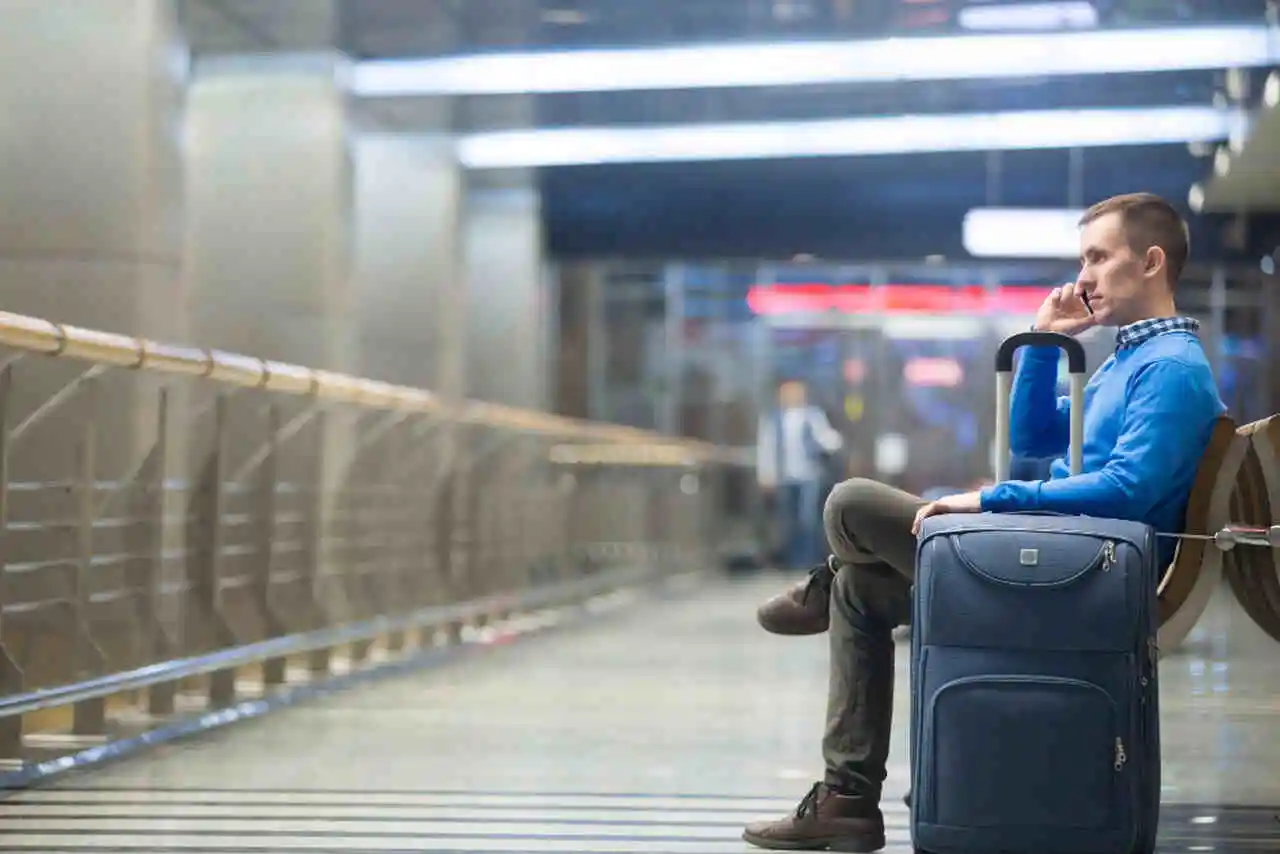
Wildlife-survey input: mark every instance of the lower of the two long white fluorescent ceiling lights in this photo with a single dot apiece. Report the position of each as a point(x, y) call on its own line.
point(845, 138)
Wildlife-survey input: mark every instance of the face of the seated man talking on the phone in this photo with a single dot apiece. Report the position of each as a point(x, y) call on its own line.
point(1117, 280)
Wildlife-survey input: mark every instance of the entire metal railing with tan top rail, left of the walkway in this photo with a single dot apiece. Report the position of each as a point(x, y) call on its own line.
point(287, 579)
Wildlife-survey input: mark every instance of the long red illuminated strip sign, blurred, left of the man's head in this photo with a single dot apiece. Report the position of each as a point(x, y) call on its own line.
point(894, 299)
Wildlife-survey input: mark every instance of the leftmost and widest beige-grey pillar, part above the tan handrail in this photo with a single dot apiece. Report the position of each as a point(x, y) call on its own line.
point(90, 166)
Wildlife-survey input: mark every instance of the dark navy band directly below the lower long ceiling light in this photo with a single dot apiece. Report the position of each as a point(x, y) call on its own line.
point(839, 208)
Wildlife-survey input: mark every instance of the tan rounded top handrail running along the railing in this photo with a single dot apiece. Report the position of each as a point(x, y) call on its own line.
point(40, 336)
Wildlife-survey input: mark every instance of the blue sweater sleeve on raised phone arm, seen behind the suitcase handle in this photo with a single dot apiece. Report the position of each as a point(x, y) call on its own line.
point(1039, 421)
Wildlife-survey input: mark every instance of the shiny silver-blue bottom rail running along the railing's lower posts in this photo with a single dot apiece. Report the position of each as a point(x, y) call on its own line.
point(299, 645)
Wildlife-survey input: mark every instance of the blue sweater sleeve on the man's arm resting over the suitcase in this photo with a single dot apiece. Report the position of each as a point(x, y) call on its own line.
point(1160, 436)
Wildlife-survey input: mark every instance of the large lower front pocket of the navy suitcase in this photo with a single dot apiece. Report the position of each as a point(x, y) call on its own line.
point(1023, 751)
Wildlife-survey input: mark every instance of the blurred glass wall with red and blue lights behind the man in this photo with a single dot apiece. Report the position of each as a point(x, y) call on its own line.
point(899, 354)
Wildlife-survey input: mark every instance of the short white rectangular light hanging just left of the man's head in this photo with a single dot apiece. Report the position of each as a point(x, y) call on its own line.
point(1022, 232)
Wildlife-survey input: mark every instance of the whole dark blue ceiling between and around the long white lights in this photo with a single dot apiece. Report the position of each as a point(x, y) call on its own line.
point(897, 207)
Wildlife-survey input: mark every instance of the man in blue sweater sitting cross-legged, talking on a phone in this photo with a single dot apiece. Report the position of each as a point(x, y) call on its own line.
point(1150, 412)
